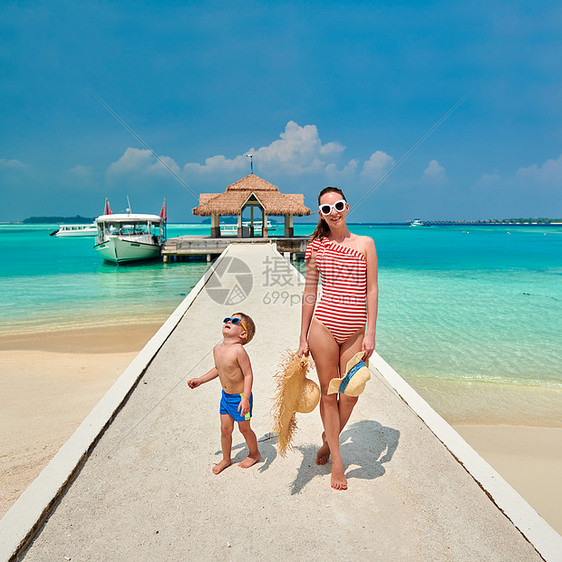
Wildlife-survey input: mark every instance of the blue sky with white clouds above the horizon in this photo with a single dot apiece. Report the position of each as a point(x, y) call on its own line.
point(323, 93)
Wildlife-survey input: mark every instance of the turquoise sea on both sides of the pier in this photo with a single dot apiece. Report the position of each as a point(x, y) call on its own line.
point(472, 304)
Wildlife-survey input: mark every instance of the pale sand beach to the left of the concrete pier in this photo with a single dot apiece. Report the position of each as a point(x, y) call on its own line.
point(51, 382)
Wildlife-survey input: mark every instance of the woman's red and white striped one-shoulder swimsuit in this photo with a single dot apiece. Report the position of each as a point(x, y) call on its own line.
point(343, 273)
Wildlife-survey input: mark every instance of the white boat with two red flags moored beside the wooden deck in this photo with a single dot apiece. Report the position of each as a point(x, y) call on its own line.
point(130, 237)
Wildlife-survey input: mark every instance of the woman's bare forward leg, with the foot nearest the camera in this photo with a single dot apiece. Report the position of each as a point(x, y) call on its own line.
point(326, 354)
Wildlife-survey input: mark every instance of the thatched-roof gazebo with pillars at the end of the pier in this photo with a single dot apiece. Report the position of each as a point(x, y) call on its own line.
point(254, 192)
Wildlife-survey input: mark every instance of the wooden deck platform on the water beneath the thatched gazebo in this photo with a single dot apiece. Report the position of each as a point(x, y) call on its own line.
point(176, 249)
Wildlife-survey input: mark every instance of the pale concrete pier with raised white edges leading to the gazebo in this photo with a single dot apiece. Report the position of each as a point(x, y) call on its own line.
point(145, 490)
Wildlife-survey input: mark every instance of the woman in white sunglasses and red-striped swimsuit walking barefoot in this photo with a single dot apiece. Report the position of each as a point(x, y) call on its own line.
point(343, 323)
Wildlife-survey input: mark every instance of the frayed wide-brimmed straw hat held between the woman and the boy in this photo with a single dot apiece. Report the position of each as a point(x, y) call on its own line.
point(294, 393)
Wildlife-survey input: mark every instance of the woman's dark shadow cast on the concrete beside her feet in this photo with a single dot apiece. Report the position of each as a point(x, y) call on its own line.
point(365, 444)
